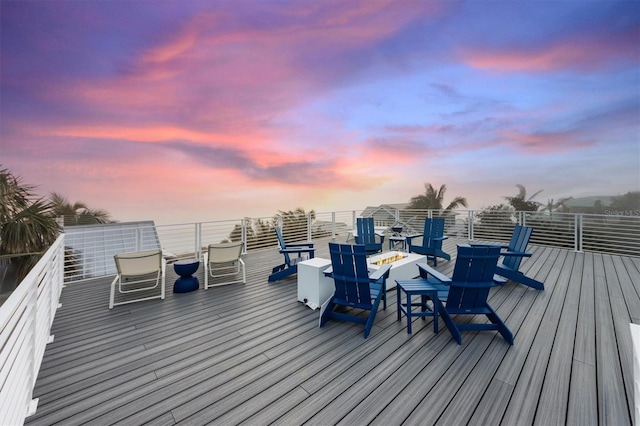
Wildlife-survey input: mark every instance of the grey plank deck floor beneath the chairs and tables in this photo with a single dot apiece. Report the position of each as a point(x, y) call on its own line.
point(251, 354)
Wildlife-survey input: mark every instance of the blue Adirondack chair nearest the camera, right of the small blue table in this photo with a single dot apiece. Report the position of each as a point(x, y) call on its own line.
point(469, 288)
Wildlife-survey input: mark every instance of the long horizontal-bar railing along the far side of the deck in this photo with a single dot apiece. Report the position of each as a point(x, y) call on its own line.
point(596, 233)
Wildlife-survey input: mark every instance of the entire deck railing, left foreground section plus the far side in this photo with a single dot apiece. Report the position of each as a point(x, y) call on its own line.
point(27, 315)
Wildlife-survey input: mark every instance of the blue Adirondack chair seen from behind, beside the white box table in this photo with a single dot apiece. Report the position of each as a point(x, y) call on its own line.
point(355, 288)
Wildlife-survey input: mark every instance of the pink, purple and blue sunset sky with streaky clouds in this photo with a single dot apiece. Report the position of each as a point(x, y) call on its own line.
point(192, 111)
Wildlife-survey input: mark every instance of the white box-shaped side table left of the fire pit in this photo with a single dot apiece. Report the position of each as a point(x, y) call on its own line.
point(313, 287)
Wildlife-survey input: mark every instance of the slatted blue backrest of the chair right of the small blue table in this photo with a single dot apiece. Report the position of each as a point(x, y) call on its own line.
point(474, 265)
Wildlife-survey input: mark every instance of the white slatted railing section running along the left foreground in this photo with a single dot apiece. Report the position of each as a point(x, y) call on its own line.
point(25, 325)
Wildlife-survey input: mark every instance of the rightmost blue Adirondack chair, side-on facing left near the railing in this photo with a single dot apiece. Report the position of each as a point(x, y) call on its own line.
point(515, 251)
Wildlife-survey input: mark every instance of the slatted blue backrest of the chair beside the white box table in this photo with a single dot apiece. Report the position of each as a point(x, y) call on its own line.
point(350, 274)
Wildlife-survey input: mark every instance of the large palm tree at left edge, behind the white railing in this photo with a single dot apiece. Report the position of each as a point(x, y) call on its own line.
point(27, 224)
